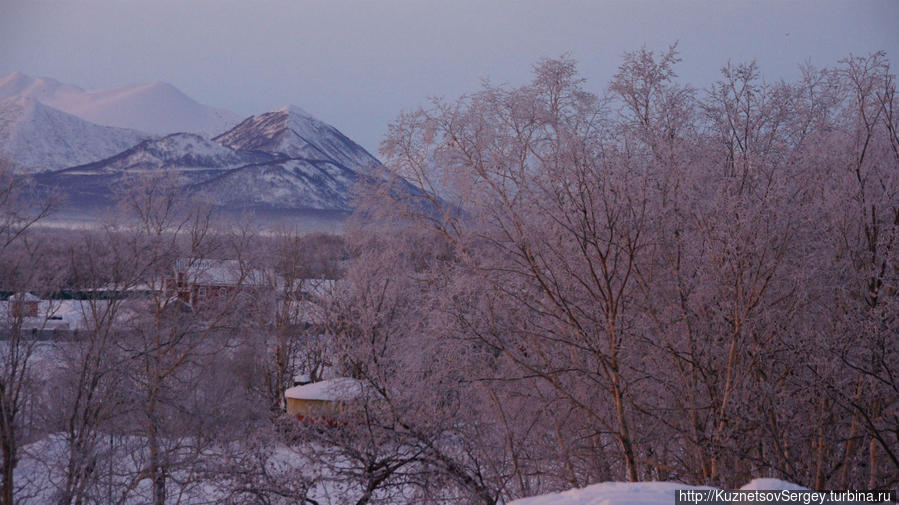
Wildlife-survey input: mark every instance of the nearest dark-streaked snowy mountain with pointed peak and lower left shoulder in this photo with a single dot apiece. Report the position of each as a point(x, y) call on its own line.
point(281, 160)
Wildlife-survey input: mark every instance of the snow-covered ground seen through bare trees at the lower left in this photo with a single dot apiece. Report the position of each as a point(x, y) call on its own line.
point(287, 469)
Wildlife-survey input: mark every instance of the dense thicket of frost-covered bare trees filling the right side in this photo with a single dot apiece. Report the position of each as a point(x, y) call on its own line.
point(666, 283)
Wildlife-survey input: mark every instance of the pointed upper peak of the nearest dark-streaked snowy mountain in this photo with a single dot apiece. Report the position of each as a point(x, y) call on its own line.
point(295, 133)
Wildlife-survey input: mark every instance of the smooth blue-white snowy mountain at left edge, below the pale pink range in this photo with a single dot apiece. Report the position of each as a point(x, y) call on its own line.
point(38, 138)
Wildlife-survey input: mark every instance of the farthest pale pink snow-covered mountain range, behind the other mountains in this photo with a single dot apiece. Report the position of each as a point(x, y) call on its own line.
point(157, 108)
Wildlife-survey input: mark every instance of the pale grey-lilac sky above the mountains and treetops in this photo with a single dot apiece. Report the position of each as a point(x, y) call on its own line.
point(357, 64)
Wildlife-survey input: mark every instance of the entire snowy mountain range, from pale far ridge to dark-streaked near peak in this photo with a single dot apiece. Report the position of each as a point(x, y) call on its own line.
point(284, 160)
